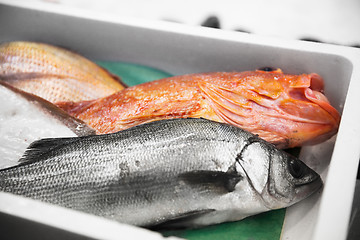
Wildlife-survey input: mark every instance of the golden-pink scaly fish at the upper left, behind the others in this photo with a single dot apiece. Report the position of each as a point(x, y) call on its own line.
point(54, 73)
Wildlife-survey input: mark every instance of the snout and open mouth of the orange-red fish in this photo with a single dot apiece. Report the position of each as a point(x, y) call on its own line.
point(311, 117)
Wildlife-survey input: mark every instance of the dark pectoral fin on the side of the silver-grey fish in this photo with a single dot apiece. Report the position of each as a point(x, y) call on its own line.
point(214, 180)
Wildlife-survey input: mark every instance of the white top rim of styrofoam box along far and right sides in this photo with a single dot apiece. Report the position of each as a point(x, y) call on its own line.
point(332, 219)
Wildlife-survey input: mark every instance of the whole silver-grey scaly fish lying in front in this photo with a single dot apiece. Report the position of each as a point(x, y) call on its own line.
point(173, 173)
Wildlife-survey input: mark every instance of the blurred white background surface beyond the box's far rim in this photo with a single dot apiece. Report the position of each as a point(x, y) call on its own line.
point(332, 21)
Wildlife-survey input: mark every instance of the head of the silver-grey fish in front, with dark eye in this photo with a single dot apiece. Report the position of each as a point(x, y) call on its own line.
point(278, 178)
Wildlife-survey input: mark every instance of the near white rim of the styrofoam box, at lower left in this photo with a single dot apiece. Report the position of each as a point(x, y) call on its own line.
point(22, 218)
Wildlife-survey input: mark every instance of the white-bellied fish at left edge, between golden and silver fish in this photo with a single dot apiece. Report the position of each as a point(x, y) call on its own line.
point(25, 118)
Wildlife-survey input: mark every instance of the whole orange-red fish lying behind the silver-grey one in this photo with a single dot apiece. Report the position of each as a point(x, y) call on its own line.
point(286, 110)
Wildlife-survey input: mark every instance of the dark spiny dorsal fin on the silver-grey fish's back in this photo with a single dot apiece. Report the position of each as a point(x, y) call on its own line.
point(38, 148)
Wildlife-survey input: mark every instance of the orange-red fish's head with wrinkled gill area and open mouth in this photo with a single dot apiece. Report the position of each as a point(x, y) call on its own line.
point(286, 110)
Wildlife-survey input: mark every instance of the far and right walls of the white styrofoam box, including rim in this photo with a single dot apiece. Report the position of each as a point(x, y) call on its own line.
point(181, 49)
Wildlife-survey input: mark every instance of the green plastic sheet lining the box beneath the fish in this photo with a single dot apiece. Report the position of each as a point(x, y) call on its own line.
point(265, 226)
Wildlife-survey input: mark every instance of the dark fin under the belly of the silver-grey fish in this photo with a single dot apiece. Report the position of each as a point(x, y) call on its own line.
point(183, 220)
